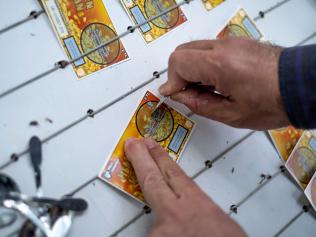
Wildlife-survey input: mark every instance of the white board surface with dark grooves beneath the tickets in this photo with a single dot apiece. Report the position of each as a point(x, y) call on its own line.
point(77, 154)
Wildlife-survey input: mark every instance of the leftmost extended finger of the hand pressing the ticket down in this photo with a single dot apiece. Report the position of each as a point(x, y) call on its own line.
point(153, 185)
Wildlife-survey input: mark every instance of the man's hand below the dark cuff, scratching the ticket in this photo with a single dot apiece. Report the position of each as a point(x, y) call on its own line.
point(243, 71)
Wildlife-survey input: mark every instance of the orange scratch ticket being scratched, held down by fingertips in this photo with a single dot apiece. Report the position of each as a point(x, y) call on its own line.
point(168, 127)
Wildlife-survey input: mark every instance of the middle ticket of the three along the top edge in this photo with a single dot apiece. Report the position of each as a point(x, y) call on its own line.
point(142, 10)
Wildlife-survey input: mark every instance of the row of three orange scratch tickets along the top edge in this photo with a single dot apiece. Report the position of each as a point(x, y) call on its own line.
point(83, 25)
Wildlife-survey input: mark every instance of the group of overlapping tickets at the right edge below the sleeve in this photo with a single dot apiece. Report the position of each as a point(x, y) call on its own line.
point(297, 149)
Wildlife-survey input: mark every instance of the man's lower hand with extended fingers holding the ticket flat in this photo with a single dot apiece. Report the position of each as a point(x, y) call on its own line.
point(181, 208)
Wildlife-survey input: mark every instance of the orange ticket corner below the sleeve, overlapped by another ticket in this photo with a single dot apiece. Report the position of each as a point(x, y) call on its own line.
point(284, 140)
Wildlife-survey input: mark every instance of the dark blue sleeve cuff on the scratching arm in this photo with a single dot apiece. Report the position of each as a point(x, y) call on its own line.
point(297, 78)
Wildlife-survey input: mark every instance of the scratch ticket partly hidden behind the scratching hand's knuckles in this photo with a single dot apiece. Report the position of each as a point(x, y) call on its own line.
point(241, 25)
